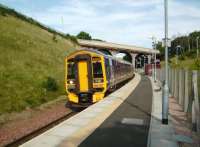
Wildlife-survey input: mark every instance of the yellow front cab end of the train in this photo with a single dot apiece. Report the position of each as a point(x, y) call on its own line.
point(84, 88)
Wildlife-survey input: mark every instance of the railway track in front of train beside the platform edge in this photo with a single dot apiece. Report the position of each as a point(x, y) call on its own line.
point(39, 131)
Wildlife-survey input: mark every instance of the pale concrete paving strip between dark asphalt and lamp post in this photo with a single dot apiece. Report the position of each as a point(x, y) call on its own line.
point(160, 135)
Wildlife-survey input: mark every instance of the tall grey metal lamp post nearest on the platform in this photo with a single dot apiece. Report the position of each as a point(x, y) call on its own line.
point(166, 88)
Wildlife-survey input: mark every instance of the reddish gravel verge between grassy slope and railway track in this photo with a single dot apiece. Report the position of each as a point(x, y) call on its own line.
point(21, 124)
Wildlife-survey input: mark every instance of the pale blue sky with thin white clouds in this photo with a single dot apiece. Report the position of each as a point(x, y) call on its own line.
point(131, 22)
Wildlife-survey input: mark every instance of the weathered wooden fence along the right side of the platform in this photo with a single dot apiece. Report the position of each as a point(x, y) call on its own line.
point(184, 85)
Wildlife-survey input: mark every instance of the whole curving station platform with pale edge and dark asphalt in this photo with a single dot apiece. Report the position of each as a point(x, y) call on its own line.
point(130, 116)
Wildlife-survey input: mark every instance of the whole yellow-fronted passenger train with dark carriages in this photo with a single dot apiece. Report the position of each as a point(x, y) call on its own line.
point(89, 74)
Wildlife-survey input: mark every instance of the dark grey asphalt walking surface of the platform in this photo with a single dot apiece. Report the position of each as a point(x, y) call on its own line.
point(128, 125)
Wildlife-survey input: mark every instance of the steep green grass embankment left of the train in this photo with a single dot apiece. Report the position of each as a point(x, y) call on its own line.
point(29, 56)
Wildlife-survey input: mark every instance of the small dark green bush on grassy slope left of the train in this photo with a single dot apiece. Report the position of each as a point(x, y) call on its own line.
point(50, 84)
